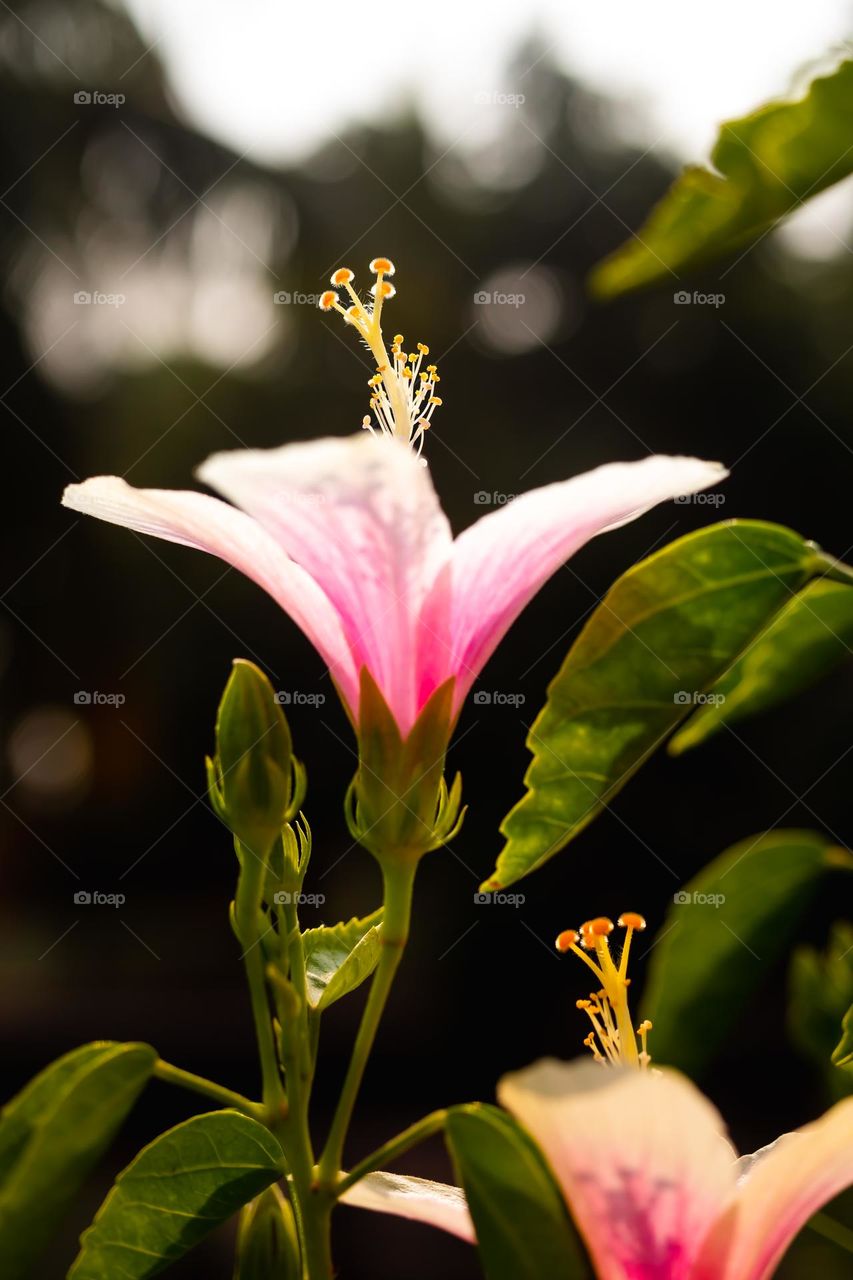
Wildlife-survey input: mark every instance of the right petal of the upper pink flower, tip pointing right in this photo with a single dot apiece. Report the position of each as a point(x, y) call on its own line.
point(501, 563)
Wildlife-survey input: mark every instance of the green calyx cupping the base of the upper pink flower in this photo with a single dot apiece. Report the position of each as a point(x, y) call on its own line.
point(399, 806)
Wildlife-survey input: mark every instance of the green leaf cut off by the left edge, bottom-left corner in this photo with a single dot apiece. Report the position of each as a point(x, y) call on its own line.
point(53, 1133)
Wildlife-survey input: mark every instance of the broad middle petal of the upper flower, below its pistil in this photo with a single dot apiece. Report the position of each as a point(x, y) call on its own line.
point(361, 515)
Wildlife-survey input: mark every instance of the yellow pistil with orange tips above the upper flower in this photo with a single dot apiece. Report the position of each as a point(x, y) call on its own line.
point(403, 390)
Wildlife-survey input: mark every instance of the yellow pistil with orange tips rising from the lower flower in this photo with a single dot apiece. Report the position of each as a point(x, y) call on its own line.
point(614, 1040)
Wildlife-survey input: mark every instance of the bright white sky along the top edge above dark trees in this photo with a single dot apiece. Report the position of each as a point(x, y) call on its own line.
point(277, 77)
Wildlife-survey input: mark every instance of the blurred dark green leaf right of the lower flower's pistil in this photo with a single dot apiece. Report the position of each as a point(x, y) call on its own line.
point(724, 931)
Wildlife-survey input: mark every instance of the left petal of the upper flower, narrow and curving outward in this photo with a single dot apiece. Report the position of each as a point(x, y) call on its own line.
point(211, 525)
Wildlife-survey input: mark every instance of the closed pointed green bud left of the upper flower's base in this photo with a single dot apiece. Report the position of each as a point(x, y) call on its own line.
point(252, 778)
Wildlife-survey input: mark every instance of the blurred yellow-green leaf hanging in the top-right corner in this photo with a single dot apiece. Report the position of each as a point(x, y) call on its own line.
point(765, 166)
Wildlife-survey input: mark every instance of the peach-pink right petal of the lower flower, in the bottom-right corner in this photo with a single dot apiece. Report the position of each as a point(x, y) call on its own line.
point(784, 1186)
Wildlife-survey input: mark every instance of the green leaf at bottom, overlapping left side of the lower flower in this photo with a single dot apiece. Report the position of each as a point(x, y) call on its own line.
point(523, 1227)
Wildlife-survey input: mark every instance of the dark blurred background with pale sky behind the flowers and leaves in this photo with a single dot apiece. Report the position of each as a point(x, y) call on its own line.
point(177, 184)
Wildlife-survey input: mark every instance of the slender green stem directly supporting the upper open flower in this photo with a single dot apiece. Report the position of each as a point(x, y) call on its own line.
point(399, 881)
